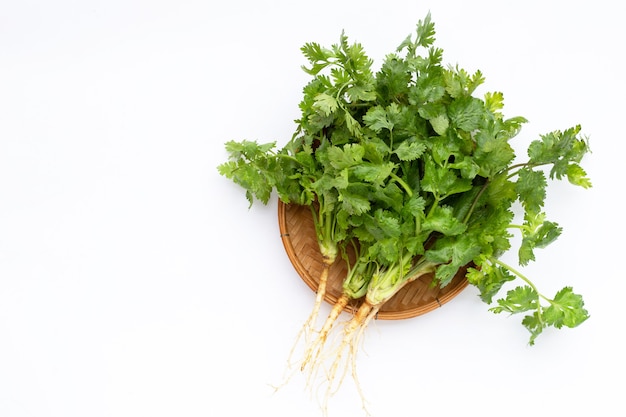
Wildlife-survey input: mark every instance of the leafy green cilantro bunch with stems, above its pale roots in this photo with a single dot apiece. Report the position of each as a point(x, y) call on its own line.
point(410, 166)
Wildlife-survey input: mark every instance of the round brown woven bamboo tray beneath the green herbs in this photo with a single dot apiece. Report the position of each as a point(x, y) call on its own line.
point(298, 235)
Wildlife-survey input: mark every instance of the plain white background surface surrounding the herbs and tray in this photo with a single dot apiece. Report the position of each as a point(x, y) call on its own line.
point(135, 281)
